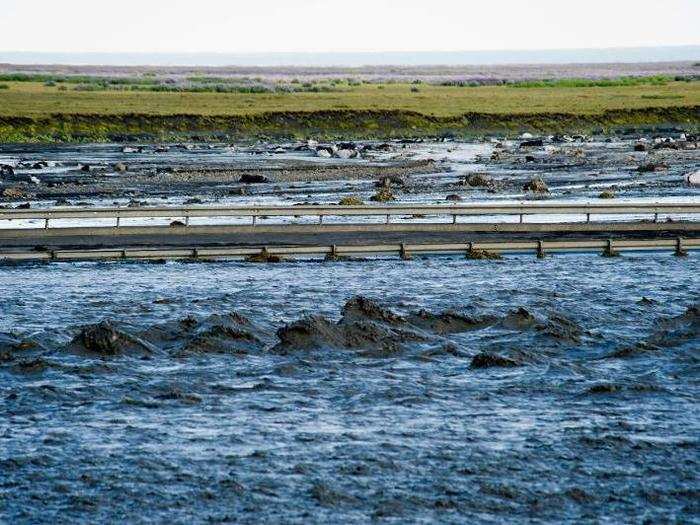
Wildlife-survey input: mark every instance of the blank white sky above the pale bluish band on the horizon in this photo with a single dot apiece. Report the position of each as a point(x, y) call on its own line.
point(235, 26)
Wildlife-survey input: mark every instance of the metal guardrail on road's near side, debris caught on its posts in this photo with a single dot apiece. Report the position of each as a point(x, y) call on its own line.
point(608, 247)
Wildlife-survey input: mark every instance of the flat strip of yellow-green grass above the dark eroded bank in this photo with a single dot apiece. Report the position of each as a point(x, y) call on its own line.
point(34, 99)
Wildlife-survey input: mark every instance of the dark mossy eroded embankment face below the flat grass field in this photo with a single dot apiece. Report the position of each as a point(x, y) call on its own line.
point(345, 123)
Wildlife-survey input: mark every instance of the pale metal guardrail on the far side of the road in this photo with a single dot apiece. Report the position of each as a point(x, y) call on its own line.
point(254, 212)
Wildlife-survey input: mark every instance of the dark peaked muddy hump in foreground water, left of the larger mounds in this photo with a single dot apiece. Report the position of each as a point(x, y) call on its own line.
point(105, 339)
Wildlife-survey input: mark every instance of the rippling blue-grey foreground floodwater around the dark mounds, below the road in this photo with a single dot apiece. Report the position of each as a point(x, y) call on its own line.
point(573, 435)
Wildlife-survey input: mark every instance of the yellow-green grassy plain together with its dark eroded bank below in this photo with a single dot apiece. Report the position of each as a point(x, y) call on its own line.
point(33, 111)
